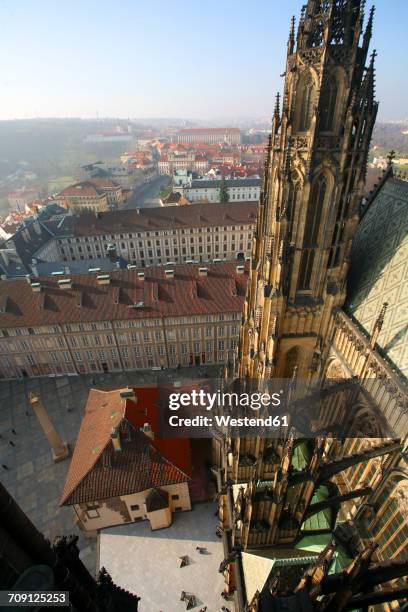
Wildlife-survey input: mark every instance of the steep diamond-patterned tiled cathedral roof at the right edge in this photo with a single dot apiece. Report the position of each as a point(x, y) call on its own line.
point(379, 270)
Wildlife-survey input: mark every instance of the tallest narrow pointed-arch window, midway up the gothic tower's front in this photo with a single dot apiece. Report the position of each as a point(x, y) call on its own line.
point(311, 234)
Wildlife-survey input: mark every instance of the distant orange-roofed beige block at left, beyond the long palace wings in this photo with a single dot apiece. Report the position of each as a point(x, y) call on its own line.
point(97, 194)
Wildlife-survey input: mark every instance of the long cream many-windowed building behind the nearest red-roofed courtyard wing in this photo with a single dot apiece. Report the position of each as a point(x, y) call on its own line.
point(151, 236)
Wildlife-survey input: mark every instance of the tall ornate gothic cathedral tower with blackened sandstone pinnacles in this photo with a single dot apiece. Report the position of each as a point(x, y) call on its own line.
point(313, 186)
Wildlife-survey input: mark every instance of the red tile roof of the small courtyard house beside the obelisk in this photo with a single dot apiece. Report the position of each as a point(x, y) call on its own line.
point(98, 472)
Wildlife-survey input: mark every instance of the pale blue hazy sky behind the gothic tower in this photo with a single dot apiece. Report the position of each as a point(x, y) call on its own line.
point(185, 58)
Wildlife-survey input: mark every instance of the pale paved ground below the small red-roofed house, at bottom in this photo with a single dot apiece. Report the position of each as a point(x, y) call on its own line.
point(150, 567)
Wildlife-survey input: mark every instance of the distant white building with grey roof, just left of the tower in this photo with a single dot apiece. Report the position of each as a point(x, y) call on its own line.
point(239, 190)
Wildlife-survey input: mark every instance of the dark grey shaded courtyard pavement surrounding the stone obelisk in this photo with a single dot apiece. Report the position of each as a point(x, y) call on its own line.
point(31, 476)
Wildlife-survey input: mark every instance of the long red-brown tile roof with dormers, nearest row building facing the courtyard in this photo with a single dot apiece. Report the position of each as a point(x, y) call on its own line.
point(223, 290)
